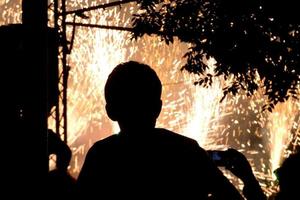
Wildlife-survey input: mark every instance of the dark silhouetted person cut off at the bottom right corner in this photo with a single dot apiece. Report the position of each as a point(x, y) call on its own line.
point(288, 175)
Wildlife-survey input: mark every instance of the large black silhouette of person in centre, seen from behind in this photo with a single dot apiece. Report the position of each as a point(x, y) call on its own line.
point(144, 162)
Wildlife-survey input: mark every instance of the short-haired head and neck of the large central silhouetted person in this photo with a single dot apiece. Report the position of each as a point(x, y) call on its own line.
point(133, 96)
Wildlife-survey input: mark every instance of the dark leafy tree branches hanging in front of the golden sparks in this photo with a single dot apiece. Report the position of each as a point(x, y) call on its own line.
point(247, 38)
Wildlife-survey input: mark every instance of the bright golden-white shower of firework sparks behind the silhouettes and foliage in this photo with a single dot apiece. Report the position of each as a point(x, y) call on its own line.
point(193, 111)
